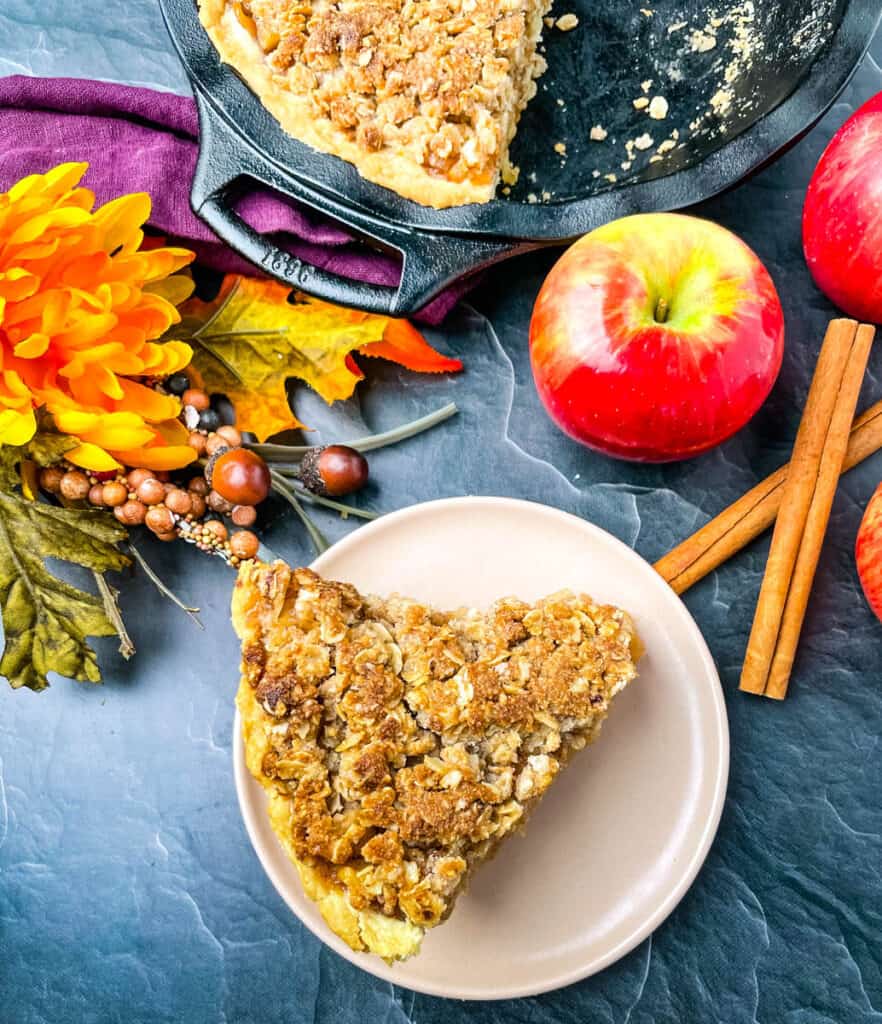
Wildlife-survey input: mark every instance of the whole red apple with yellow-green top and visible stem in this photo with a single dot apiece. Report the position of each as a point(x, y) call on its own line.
point(656, 337)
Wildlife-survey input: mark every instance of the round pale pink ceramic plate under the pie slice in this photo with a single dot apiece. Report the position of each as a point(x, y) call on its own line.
point(621, 836)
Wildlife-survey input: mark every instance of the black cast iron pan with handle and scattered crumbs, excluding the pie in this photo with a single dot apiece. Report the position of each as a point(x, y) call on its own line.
point(733, 107)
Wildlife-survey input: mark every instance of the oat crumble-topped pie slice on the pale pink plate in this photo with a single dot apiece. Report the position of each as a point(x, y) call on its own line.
point(399, 746)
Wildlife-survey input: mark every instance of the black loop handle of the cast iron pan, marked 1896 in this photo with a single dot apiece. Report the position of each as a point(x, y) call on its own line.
point(430, 264)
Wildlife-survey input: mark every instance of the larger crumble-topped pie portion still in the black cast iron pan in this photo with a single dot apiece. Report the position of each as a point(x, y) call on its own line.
point(424, 97)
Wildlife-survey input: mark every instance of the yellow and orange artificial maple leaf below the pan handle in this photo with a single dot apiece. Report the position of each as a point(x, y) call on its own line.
point(251, 339)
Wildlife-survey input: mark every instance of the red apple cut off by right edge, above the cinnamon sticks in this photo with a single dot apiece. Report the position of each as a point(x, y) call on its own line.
point(843, 219)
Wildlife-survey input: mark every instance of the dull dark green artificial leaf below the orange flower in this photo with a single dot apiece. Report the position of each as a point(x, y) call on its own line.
point(47, 622)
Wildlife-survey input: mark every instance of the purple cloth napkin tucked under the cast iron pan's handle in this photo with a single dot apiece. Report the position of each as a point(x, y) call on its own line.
point(142, 141)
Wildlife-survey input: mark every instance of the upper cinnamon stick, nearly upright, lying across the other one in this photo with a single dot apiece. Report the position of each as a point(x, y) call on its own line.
point(815, 470)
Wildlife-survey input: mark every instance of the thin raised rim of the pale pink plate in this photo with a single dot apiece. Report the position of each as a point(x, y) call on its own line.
point(687, 876)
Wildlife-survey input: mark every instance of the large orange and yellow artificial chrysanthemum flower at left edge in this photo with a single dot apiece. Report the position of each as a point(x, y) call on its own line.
point(81, 307)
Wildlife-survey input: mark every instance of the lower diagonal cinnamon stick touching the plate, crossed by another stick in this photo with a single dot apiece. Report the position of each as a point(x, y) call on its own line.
point(752, 515)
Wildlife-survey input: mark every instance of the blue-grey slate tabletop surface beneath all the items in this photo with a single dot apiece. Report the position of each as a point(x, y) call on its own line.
point(129, 889)
